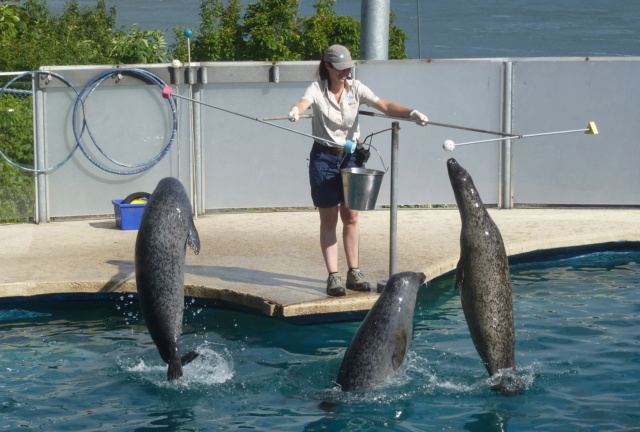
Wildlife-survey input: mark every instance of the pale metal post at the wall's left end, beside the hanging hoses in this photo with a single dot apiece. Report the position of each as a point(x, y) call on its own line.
point(42, 215)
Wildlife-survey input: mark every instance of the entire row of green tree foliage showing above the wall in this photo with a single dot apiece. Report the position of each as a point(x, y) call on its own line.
point(267, 30)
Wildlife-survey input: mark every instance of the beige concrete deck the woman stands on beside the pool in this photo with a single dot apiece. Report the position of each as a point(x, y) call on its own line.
point(271, 261)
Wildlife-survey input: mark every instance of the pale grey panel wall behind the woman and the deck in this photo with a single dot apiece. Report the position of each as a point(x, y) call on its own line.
point(249, 164)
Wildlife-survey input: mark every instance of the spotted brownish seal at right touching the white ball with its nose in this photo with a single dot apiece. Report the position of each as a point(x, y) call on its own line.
point(482, 275)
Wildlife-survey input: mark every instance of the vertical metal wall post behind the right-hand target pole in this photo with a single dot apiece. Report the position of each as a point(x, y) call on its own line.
point(506, 199)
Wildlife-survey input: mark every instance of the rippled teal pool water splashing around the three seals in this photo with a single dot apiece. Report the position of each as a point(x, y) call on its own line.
point(91, 365)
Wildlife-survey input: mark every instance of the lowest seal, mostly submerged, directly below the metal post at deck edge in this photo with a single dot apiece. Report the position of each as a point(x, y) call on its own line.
point(380, 344)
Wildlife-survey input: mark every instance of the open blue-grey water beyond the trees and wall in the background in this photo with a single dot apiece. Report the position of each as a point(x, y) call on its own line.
point(453, 28)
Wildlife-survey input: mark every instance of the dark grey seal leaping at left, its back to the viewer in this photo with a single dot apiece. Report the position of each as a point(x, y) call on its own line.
point(165, 230)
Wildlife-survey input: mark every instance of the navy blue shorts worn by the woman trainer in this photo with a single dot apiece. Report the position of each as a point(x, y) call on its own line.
point(325, 178)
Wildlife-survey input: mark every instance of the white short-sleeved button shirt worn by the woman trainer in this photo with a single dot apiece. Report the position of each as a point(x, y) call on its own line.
point(338, 120)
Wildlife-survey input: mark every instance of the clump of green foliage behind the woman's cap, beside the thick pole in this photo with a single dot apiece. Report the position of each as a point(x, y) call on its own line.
point(270, 30)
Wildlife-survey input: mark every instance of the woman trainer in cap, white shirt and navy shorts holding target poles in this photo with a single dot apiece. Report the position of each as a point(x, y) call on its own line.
point(335, 100)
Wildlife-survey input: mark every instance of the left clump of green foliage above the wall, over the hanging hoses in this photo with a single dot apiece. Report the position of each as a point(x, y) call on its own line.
point(32, 37)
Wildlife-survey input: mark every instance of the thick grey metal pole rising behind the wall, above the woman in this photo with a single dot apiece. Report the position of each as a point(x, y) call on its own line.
point(374, 36)
